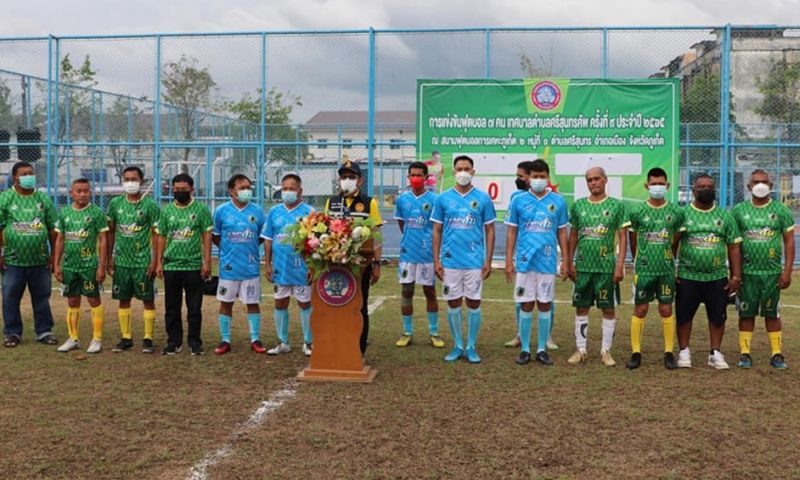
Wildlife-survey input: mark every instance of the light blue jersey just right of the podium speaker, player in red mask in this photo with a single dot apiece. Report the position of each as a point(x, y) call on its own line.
point(416, 245)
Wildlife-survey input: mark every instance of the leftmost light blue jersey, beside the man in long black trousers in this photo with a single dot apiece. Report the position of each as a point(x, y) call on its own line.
point(239, 255)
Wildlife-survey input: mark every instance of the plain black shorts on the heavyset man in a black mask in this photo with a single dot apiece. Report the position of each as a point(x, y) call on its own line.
point(689, 294)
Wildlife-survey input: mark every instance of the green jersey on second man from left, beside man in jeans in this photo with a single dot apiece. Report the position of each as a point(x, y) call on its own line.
point(81, 229)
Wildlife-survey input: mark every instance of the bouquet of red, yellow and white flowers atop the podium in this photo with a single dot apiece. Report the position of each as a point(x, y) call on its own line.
point(324, 241)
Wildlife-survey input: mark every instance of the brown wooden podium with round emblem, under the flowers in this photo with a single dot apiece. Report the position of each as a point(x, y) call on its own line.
point(336, 326)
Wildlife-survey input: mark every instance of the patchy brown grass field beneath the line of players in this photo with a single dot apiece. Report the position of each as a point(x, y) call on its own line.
point(133, 415)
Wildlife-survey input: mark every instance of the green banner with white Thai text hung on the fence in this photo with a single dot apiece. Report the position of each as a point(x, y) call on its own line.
point(625, 126)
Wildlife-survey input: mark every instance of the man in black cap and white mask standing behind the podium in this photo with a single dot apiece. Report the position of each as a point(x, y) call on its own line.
point(351, 203)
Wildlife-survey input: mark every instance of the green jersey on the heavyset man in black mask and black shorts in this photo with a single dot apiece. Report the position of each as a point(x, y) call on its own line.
point(703, 249)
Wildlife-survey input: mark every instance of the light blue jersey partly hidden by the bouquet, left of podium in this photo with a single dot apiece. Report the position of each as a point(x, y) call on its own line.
point(288, 267)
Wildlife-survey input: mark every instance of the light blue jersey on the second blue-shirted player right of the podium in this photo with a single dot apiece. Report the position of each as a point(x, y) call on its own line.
point(463, 218)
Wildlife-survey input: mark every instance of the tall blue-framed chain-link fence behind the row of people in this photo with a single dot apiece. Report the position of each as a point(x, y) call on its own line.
point(268, 103)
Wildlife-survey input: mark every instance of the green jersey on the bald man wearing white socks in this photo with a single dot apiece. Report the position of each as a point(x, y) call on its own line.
point(597, 224)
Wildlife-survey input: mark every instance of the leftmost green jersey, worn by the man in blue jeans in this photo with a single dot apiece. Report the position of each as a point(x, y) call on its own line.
point(26, 221)
